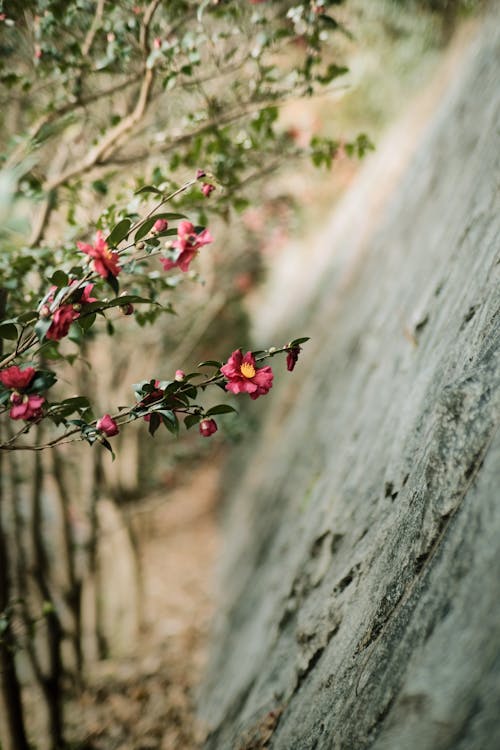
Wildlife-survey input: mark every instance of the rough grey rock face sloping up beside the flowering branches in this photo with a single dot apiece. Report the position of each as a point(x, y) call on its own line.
point(361, 575)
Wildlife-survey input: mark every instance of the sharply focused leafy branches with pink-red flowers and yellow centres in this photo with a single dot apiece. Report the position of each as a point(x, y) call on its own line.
point(70, 301)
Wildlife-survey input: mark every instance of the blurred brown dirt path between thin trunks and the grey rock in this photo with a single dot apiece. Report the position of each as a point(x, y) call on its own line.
point(146, 702)
